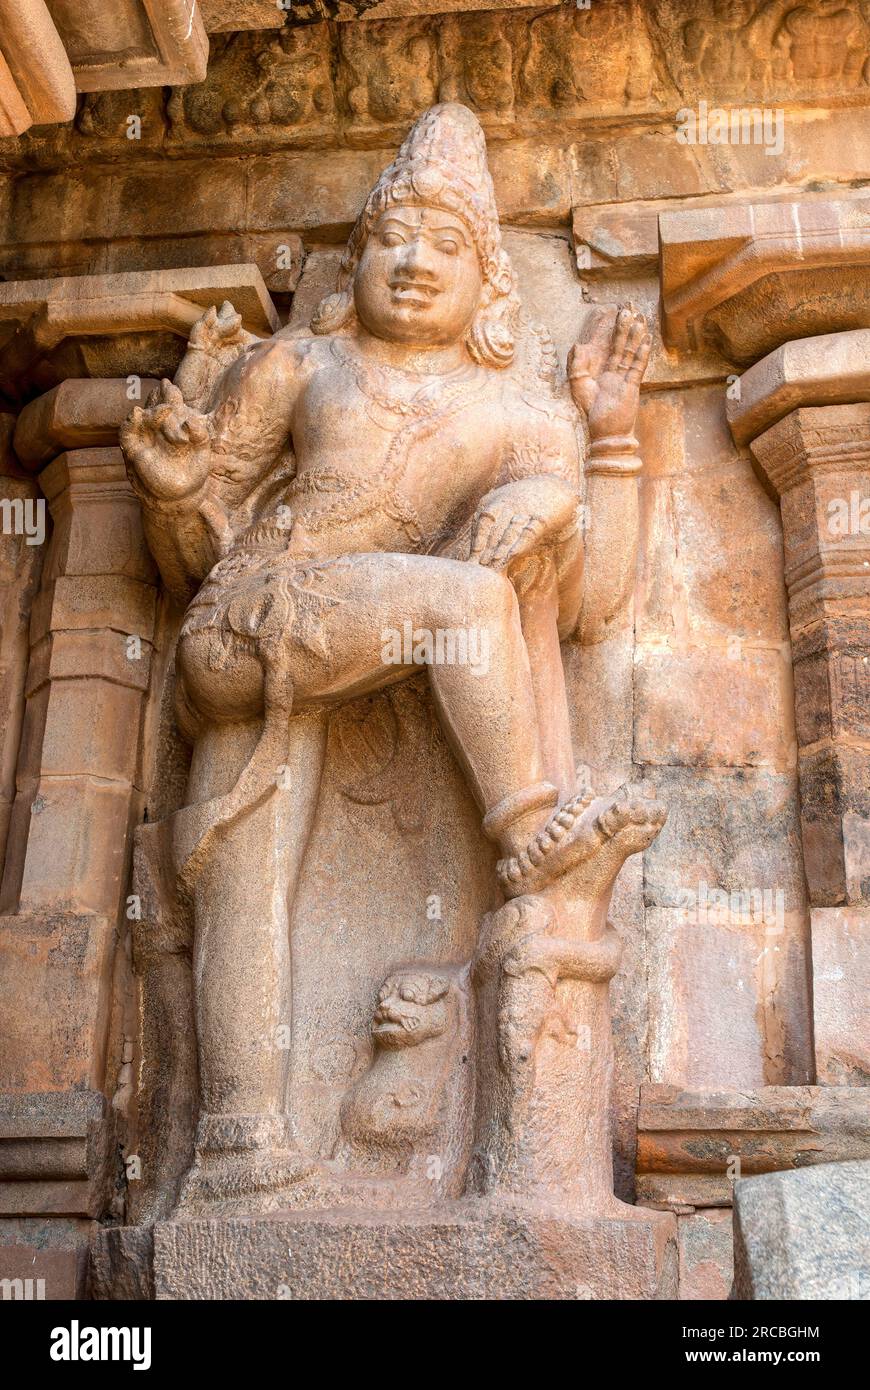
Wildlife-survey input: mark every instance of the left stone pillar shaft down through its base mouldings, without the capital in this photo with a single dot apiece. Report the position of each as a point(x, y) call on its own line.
point(66, 867)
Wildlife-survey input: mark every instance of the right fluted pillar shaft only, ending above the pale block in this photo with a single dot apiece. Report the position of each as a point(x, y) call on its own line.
point(818, 462)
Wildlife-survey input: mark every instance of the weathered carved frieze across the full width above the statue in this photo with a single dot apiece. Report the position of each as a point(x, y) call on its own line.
point(319, 81)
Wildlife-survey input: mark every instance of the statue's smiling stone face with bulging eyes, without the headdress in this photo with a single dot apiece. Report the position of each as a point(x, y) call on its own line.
point(419, 280)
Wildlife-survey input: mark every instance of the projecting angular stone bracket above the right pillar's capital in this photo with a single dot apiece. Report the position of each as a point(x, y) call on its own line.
point(746, 279)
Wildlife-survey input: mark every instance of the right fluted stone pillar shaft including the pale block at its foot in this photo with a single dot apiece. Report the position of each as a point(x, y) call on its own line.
point(819, 462)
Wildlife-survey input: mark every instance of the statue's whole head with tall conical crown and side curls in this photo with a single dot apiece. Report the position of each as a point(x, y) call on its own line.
point(425, 263)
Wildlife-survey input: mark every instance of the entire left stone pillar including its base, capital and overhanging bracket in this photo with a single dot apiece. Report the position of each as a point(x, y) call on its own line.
point(66, 986)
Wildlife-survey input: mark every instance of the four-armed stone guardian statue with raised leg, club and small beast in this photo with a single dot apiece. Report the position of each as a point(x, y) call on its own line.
point(416, 458)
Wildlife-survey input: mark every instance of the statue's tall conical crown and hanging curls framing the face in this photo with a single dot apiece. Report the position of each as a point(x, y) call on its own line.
point(443, 163)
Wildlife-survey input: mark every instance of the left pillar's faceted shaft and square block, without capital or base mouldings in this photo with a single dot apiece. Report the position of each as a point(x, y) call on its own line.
point(66, 867)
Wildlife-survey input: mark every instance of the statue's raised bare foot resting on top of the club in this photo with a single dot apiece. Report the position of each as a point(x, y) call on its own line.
point(589, 843)
